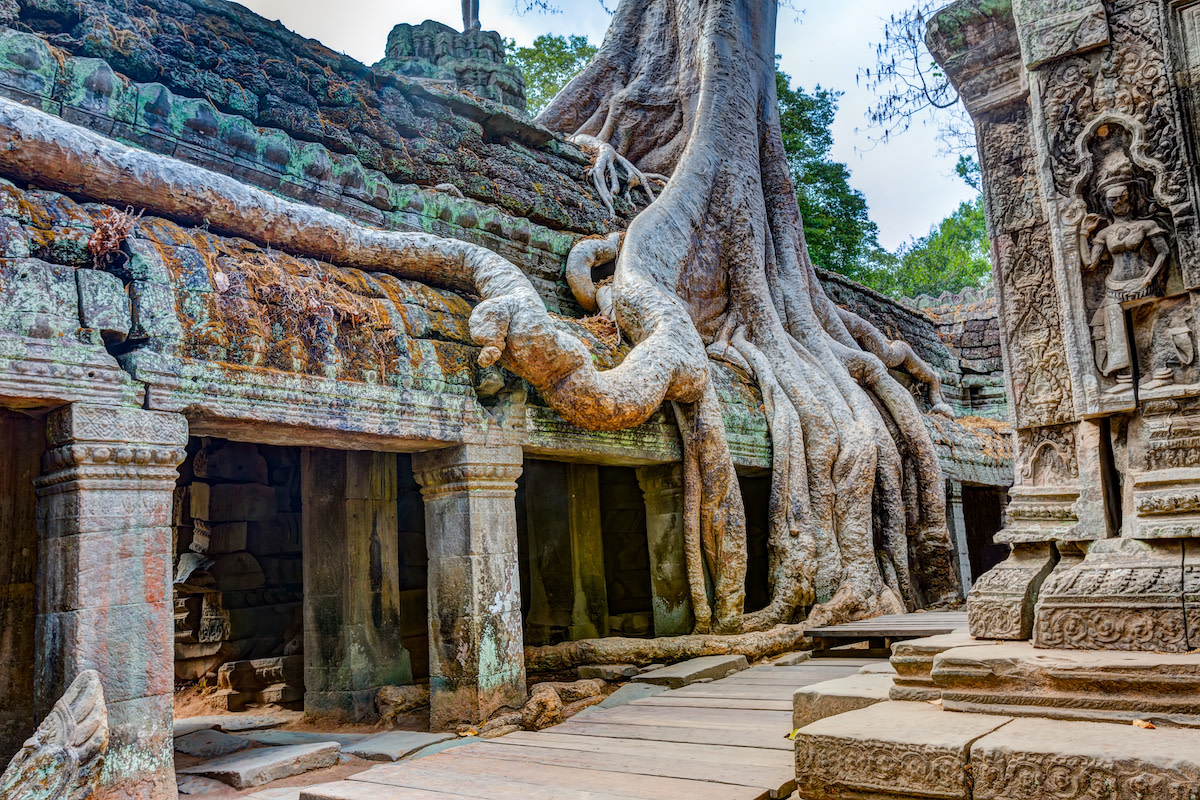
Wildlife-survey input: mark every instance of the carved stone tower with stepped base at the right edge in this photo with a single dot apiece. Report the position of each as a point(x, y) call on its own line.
point(1087, 115)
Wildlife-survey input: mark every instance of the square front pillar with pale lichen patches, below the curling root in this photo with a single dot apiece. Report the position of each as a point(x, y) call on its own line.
point(477, 660)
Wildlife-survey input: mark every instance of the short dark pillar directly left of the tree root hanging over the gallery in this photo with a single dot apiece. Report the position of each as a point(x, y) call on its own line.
point(663, 490)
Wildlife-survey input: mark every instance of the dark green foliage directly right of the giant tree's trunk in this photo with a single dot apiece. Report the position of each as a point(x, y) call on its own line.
point(838, 226)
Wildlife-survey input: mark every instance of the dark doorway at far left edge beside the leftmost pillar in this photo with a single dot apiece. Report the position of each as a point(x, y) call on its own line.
point(22, 444)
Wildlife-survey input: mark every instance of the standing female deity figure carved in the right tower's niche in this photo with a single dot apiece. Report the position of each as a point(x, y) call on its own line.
point(1138, 252)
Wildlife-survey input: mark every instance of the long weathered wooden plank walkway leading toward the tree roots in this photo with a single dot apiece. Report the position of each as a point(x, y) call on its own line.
point(721, 741)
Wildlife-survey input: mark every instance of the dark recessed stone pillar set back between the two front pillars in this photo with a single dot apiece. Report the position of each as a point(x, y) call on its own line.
point(352, 601)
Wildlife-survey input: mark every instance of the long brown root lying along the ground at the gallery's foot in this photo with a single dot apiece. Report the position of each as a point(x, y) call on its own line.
point(616, 651)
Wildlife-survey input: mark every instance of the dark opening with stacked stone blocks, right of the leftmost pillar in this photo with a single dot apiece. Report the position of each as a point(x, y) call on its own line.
point(238, 580)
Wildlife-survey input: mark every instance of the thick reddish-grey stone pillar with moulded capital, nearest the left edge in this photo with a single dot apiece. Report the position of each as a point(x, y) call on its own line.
point(105, 582)
